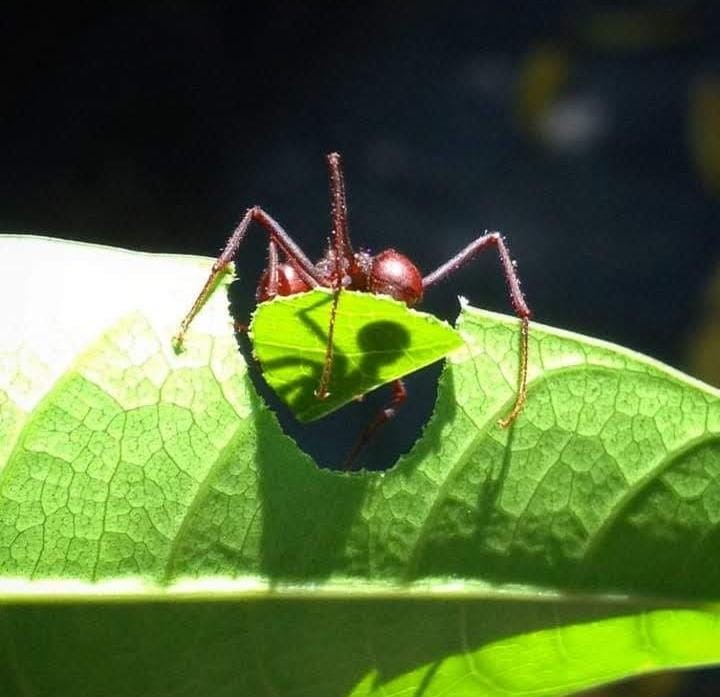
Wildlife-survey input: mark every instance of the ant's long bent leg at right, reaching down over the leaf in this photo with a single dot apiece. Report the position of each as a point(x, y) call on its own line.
point(495, 239)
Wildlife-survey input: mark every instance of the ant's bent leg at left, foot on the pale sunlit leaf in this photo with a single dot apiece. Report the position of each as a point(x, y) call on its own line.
point(305, 268)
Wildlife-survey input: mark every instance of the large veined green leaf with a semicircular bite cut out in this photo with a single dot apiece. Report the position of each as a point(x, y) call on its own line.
point(577, 547)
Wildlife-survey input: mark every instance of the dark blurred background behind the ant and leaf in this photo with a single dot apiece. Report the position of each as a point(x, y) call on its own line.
point(588, 132)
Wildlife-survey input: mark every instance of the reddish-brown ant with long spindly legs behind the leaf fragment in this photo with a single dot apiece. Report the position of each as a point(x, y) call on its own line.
point(388, 272)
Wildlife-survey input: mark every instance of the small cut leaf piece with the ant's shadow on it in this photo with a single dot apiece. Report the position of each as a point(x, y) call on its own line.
point(376, 340)
